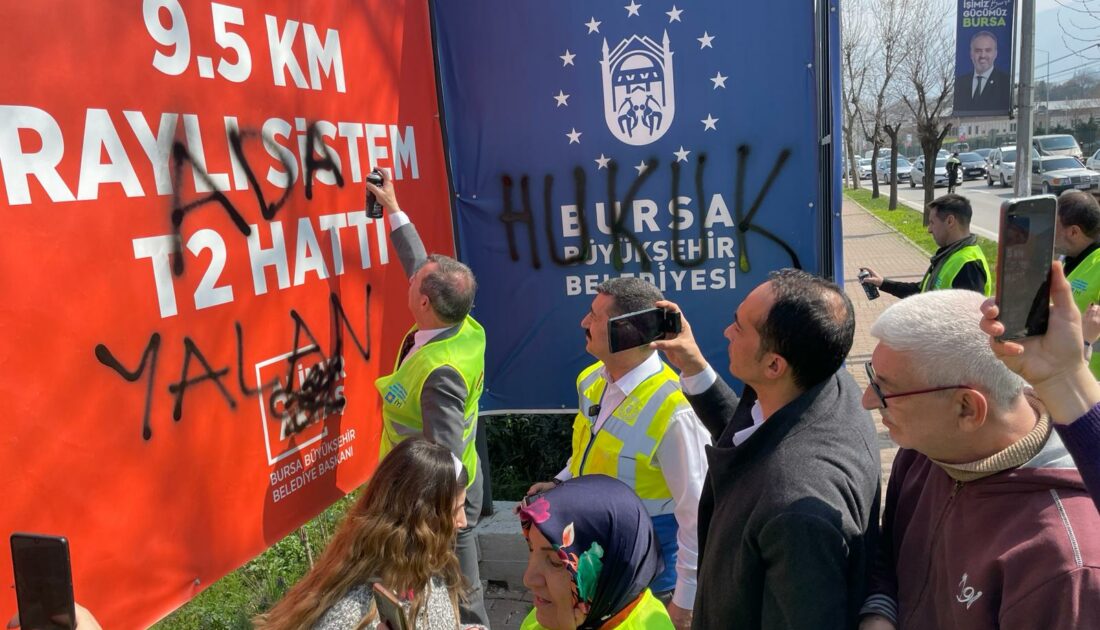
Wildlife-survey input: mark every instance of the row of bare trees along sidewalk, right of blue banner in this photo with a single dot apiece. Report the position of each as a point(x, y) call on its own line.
point(898, 60)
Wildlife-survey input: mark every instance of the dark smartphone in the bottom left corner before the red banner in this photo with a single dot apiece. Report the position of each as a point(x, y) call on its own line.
point(43, 582)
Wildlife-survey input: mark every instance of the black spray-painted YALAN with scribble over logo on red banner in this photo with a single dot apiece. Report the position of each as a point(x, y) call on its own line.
point(313, 401)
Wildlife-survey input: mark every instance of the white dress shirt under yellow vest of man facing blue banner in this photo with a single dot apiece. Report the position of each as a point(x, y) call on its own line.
point(681, 457)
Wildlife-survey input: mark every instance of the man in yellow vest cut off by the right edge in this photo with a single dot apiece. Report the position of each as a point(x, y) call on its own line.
point(1077, 238)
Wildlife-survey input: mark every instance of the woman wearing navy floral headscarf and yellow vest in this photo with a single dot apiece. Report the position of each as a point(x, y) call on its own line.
point(593, 554)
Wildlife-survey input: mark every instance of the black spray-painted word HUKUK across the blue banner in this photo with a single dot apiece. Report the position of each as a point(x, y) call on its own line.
point(620, 235)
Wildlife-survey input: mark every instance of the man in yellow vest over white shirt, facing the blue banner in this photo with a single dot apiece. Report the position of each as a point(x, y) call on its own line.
point(635, 425)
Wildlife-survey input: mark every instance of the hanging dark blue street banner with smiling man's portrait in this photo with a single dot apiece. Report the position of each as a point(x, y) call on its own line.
point(984, 67)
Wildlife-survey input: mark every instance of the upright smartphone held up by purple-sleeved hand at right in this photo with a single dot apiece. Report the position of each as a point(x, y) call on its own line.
point(1025, 253)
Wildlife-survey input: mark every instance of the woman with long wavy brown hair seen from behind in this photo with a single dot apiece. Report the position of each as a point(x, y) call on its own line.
point(400, 535)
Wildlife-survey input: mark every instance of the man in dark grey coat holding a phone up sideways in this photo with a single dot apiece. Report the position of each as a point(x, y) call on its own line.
point(789, 513)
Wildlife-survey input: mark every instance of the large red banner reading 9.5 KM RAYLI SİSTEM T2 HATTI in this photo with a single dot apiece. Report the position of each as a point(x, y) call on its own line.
point(196, 304)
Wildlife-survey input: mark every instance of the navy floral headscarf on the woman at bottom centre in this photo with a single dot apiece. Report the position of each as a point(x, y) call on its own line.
point(604, 537)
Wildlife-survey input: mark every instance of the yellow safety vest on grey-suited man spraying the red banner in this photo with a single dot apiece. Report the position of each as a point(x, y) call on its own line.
point(402, 416)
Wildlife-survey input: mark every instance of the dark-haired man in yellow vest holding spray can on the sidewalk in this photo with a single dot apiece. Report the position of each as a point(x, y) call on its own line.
point(959, 263)
